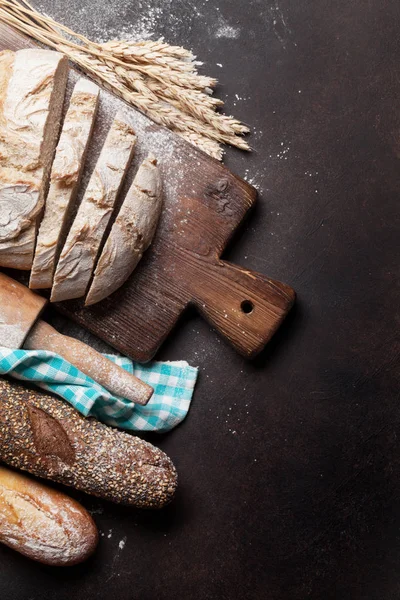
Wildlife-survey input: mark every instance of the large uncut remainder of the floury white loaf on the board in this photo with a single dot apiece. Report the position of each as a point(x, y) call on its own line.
point(31, 98)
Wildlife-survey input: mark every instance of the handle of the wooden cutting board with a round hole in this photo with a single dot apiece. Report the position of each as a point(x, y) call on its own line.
point(244, 306)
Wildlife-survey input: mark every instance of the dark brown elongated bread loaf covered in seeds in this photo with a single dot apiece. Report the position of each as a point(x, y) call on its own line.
point(50, 439)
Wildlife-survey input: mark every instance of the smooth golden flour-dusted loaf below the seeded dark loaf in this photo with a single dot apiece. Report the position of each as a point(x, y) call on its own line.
point(43, 524)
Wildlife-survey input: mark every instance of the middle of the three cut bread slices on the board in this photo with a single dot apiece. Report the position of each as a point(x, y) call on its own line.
point(78, 256)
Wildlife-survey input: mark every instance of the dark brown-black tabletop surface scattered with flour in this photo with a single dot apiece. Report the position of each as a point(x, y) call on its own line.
point(289, 466)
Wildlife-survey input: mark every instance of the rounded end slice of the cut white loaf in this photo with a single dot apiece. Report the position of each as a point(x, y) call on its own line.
point(131, 234)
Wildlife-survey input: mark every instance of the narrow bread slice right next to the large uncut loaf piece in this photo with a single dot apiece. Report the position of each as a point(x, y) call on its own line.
point(64, 180)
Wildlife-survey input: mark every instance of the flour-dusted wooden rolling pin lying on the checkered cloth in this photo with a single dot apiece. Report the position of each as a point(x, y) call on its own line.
point(21, 327)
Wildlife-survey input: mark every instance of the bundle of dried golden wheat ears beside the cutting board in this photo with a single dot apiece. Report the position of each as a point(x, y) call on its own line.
point(159, 79)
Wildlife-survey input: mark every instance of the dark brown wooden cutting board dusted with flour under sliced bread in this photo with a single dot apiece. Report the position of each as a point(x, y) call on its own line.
point(204, 203)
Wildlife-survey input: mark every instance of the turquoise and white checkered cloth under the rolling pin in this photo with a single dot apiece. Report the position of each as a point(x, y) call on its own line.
point(173, 384)
